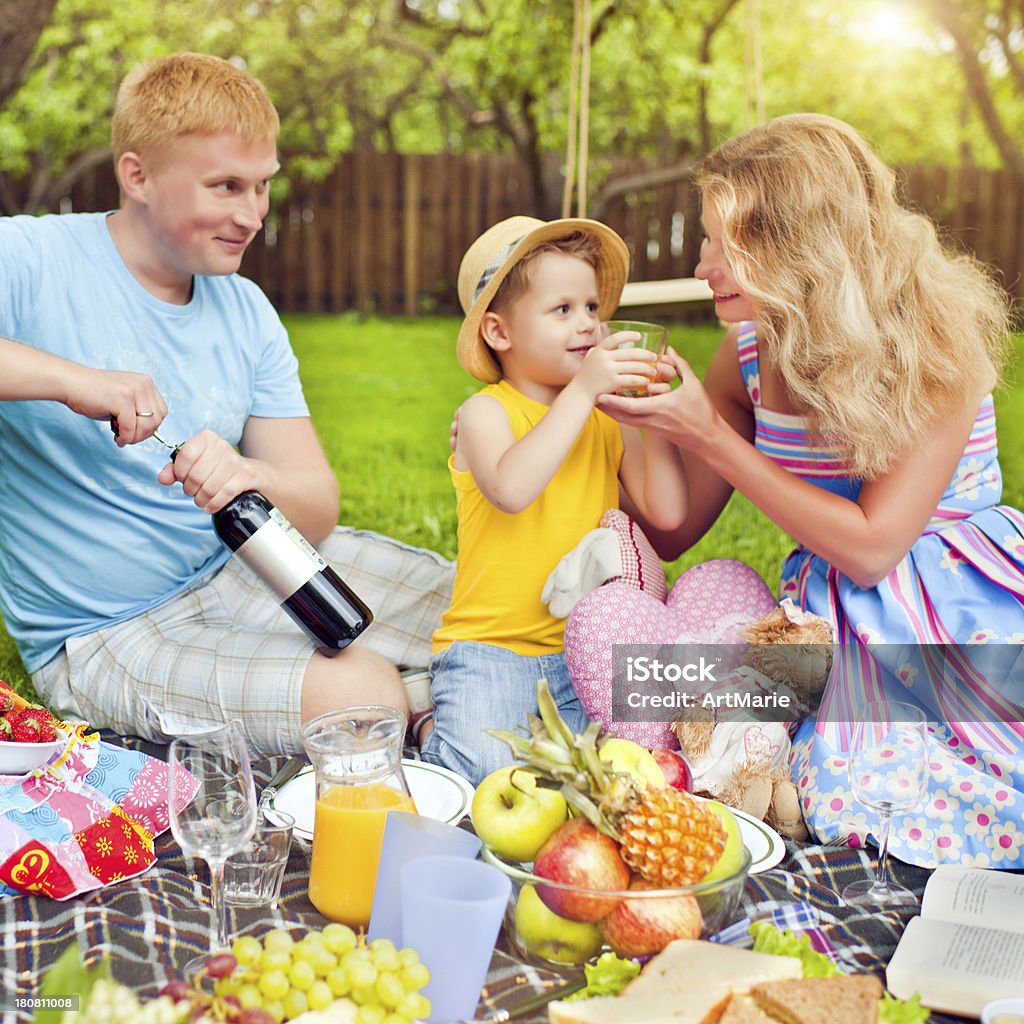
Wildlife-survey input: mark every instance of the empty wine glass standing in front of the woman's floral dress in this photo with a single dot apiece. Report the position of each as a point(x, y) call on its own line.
point(888, 774)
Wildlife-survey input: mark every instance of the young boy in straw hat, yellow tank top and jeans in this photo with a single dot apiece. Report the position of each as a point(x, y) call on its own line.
point(535, 467)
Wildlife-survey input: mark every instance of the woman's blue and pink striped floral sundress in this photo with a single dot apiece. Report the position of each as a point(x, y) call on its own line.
point(916, 637)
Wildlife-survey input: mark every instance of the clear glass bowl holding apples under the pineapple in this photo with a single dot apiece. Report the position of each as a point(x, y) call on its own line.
point(637, 922)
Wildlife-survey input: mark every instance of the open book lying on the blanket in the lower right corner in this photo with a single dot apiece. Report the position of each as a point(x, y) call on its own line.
point(968, 946)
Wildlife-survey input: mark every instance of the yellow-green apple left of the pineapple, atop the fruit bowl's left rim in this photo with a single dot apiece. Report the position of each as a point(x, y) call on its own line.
point(515, 816)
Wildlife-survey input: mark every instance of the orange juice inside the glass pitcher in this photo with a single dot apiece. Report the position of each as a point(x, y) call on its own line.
point(349, 830)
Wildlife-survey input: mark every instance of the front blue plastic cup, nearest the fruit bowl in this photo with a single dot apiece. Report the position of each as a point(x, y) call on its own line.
point(452, 912)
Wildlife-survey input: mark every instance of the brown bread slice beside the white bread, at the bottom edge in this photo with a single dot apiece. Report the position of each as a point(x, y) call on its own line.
point(842, 1000)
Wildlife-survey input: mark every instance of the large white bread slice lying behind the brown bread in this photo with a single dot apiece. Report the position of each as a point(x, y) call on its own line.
point(696, 965)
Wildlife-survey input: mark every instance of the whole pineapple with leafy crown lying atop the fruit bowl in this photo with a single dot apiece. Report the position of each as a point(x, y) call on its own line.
point(665, 835)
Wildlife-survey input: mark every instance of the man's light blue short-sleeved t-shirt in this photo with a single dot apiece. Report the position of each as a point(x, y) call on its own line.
point(89, 536)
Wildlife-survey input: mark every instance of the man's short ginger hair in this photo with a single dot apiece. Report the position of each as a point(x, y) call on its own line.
point(189, 95)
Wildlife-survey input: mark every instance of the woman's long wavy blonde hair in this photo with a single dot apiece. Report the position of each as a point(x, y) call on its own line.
point(876, 328)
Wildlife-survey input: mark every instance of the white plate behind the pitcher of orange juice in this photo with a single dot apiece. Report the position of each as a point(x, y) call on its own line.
point(438, 793)
